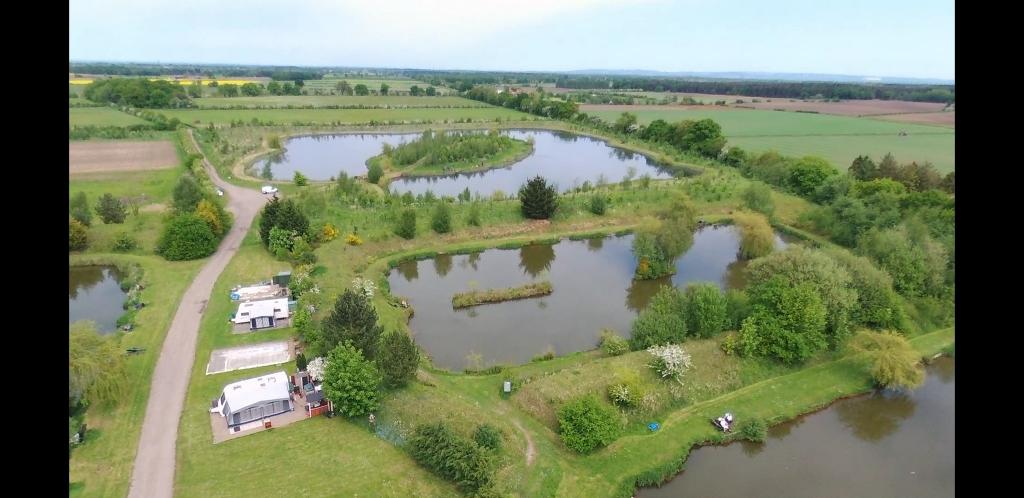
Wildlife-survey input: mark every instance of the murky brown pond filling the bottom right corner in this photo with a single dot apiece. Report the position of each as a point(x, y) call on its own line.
point(884, 444)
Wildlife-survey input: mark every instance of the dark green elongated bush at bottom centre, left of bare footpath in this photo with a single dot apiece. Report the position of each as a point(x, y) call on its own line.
point(441, 450)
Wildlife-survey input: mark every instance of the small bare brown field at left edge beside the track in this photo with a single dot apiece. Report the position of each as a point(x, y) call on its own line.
point(91, 157)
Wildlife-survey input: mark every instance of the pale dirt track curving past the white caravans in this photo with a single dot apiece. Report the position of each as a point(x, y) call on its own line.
point(153, 474)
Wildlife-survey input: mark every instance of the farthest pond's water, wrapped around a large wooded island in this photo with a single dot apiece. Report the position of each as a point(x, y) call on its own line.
point(566, 159)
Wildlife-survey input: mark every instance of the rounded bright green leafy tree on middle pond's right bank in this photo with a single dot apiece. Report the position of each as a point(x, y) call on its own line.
point(788, 322)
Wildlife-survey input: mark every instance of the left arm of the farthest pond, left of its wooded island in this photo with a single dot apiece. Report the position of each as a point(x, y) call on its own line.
point(321, 157)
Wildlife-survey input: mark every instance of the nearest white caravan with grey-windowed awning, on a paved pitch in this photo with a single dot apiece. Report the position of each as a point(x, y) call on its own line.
point(254, 400)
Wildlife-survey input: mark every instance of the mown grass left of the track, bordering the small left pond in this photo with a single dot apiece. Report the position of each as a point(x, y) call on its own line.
point(102, 467)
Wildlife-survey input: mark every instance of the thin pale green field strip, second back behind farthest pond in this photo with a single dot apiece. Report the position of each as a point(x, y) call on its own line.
point(322, 101)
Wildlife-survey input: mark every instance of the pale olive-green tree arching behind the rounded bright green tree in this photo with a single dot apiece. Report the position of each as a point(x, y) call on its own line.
point(830, 281)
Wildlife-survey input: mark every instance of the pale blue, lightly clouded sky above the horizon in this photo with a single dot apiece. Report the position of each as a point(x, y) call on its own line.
point(882, 38)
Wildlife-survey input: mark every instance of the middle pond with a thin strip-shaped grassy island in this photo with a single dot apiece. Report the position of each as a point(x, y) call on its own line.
point(593, 289)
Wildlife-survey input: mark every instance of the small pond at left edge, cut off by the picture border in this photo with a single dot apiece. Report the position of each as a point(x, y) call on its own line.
point(95, 294)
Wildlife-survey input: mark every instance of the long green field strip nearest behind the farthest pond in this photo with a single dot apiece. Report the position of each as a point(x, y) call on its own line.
point(288, 116)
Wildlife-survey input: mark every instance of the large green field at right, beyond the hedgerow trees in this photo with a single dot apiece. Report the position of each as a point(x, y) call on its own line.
point(838, 139)
